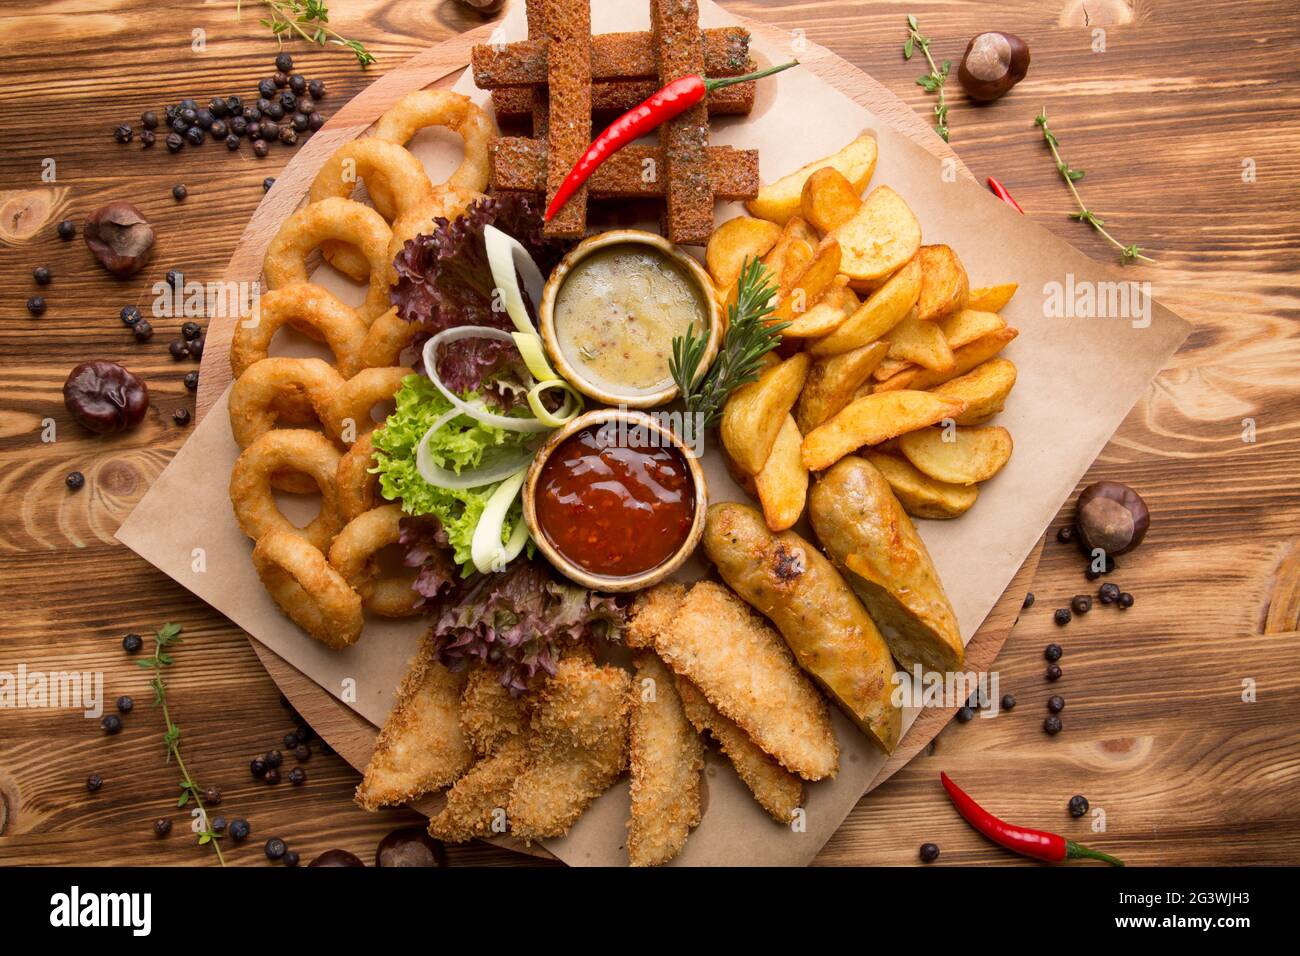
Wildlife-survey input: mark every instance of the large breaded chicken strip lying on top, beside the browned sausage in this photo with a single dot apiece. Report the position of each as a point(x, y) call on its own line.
point(746, 671)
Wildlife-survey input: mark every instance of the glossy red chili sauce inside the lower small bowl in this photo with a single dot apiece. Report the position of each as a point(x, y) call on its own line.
point(613, 503)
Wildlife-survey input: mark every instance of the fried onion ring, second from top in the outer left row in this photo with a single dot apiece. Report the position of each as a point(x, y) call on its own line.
point(395, 180)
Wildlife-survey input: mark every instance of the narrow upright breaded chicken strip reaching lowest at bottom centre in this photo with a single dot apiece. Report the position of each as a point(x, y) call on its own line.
point(668, 759)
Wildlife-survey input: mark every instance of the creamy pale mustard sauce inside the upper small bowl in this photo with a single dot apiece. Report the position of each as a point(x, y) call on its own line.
point(619, 310)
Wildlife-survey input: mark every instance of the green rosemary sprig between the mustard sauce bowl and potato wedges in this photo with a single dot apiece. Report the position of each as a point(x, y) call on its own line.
point(748, 340)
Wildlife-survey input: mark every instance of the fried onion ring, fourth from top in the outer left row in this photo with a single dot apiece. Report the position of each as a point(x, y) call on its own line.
point(301, 305)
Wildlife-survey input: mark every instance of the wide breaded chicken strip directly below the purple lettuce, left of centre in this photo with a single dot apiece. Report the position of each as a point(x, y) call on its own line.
point(578, 749)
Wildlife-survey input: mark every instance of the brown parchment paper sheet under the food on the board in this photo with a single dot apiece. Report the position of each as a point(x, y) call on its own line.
point(1078, 379)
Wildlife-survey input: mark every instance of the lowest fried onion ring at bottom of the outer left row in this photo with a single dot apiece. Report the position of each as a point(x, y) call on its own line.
point(313, 594)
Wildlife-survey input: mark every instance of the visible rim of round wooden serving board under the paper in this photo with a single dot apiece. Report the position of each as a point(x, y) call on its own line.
point(441, 66)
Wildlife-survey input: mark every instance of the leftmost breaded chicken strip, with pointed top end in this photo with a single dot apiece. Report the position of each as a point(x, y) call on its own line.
point(421, 750)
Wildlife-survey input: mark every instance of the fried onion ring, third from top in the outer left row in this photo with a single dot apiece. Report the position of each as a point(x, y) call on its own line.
point(333, 219)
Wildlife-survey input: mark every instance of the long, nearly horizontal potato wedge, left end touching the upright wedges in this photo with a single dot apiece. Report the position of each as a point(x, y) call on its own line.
point(873, 419)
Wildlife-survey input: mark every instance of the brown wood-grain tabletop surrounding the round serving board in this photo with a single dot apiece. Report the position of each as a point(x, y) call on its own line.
point(1184, 118)
